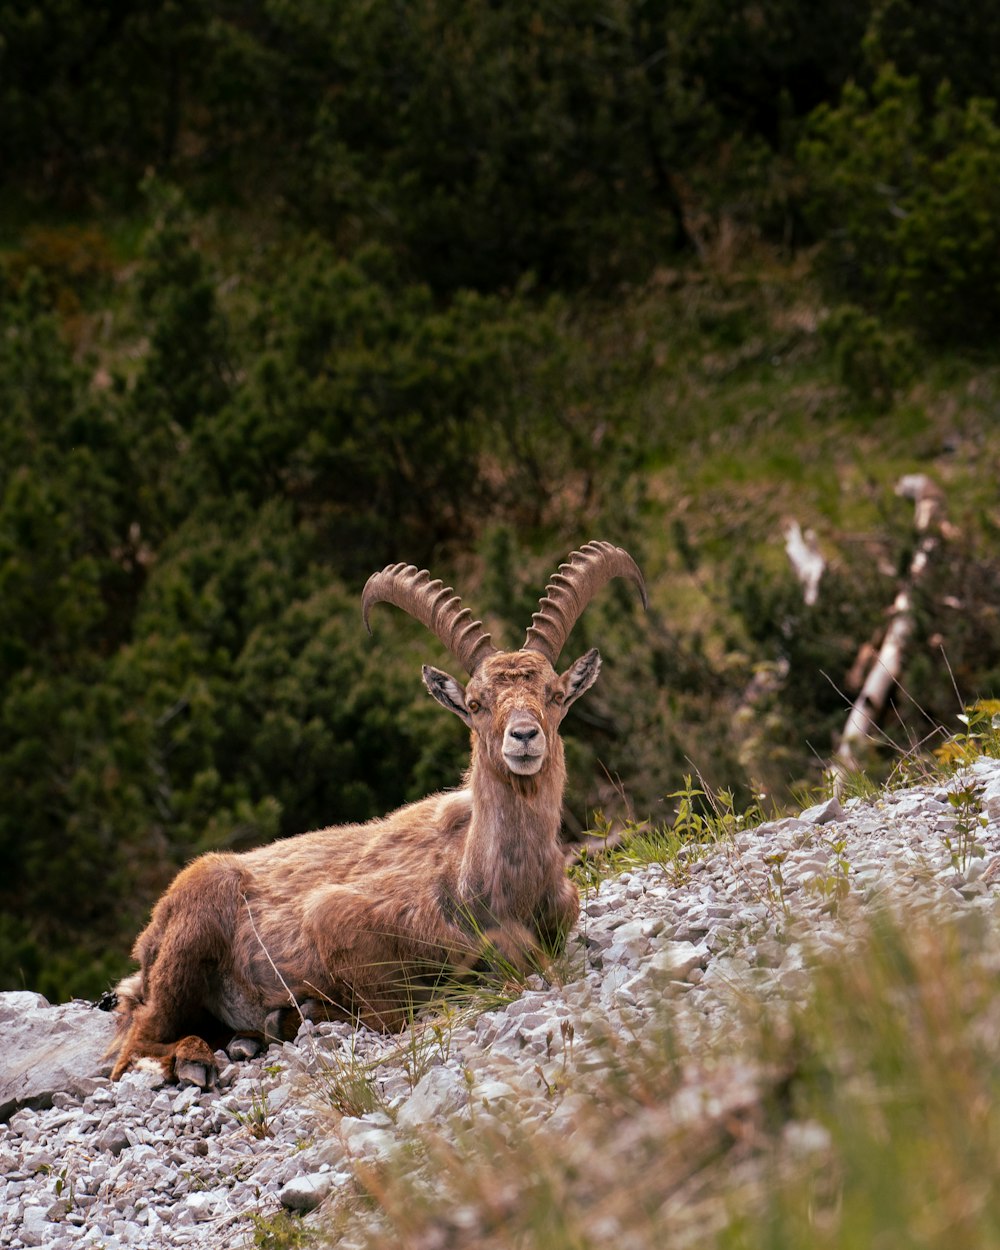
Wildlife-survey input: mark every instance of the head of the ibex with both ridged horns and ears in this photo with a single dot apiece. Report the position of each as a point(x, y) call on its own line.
point(514, 701)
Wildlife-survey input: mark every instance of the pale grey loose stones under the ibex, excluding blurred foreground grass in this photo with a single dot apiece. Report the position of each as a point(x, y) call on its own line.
point(84, 1163)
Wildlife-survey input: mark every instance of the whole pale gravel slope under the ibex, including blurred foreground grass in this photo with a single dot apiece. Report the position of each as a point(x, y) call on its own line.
point(776, 1036)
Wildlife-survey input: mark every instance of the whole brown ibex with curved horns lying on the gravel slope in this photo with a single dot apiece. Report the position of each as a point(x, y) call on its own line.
point(361, 922)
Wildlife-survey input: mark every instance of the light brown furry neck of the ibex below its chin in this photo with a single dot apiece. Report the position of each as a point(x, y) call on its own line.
point(513, 859)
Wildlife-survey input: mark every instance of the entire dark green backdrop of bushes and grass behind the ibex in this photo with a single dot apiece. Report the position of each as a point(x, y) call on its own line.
point(291, 292)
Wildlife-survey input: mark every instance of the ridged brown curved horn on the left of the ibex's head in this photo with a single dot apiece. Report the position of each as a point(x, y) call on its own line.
point(434, 606)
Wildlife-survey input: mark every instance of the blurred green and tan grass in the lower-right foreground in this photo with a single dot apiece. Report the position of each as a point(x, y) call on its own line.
point(859, 1114)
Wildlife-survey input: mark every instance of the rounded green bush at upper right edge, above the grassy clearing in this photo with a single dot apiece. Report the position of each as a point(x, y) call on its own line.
point(909, 206)
